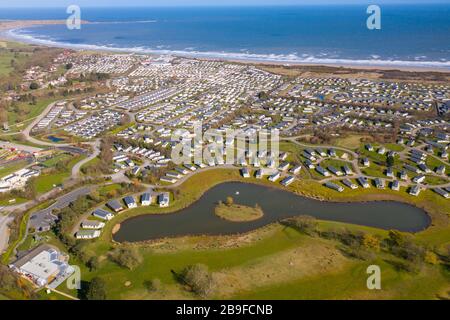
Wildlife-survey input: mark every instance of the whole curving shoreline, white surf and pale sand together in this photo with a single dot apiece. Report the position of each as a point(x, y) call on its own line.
point(7, 29)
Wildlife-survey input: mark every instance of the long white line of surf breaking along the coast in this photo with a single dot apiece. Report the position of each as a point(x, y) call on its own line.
point(292, 58)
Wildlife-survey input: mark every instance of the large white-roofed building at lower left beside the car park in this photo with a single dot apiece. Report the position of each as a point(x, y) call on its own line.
point(43, 265)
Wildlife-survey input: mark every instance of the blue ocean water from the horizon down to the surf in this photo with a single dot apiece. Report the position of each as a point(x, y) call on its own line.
point(410, 35)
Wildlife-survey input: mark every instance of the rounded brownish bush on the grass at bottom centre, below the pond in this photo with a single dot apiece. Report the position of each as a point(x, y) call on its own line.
point(199, 279)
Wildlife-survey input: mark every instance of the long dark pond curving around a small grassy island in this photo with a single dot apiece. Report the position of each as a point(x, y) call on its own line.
point(199, 218)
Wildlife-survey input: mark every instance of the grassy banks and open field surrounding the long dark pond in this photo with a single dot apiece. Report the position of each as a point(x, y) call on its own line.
point(275, 261)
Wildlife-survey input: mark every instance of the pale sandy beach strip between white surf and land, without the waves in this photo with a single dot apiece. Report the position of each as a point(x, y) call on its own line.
point(7, 25)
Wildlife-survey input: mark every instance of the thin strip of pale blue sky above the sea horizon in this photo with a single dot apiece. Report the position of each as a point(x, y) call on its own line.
point(109, 3)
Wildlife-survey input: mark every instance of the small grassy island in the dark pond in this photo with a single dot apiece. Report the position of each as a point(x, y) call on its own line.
point(236, 212)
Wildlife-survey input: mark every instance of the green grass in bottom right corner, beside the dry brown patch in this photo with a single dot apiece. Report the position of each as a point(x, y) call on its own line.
point(351, 282)
